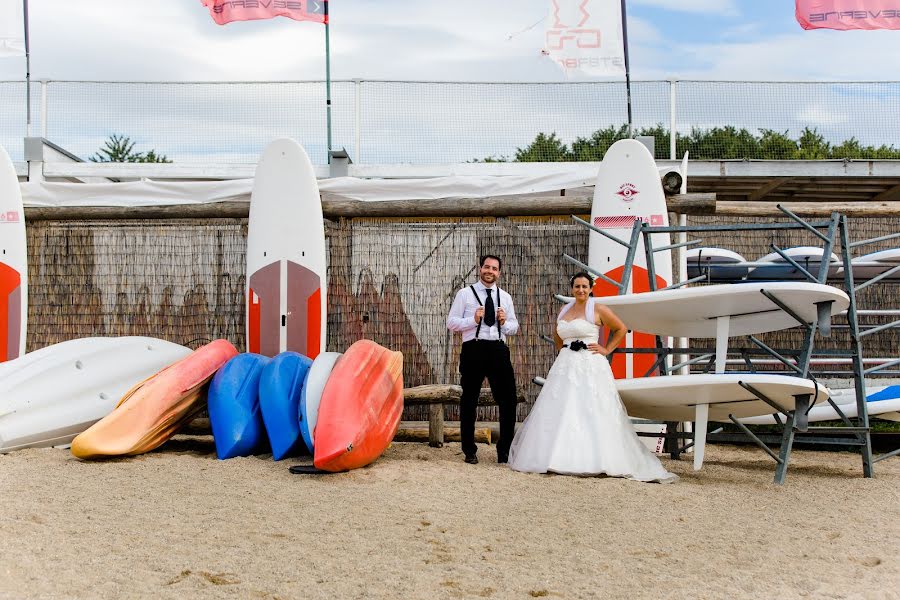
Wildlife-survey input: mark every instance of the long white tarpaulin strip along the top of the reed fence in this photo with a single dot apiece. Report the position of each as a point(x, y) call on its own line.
point(167, 193)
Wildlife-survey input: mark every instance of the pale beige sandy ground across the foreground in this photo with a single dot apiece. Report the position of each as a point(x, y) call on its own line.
point(420, 523)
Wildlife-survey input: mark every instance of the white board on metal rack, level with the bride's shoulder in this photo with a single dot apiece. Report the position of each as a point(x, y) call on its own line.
point(694, 312)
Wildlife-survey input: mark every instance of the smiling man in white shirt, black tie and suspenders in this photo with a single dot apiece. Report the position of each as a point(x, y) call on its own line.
point(485, 316)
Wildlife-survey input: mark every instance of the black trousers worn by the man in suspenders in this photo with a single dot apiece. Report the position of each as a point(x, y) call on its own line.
point(480, 359)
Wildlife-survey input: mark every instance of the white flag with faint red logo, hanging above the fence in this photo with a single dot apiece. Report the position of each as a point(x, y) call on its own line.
point(585, 36)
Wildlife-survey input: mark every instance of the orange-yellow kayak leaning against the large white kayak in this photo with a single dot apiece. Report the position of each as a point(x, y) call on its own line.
point(152, 411)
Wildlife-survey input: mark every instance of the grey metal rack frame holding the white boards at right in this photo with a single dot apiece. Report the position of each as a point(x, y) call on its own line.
point(794, 425)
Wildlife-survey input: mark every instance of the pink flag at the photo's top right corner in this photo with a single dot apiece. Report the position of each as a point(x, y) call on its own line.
point(848, 14)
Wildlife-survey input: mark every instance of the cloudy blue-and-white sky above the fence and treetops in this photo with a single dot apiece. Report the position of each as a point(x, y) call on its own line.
point(492, 41)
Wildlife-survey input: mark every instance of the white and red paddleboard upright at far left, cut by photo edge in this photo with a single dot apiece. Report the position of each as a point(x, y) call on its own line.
point(13, 264)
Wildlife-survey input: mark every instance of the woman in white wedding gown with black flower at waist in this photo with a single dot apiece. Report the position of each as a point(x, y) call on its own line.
point(578, 425)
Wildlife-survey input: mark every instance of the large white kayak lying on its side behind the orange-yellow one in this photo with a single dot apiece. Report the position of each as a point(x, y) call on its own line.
point(49, 396)
